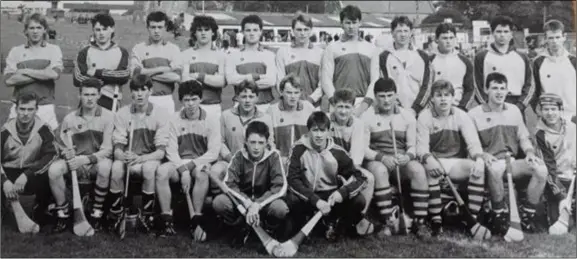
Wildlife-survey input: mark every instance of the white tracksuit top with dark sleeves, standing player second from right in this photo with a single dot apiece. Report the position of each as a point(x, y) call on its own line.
point(515, 65)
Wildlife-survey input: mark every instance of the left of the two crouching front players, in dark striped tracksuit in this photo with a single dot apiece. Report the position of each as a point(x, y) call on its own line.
point(256, 173)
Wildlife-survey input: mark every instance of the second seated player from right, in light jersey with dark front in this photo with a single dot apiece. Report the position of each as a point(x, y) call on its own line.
point(501, 130)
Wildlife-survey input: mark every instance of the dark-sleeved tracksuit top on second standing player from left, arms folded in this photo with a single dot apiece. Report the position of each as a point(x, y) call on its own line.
point(111, 66)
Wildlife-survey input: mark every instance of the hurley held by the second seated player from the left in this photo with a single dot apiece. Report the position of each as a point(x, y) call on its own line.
point(81, 225)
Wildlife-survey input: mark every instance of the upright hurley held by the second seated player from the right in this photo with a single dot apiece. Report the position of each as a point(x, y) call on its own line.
point(515, 232)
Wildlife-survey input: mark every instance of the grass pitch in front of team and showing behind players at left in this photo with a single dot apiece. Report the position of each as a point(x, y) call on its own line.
point(105, 245)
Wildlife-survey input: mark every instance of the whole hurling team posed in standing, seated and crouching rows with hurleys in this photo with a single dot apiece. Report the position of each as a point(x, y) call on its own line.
point(345, 140)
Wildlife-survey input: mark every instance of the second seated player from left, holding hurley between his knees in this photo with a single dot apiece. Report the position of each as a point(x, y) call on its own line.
point(90, 128)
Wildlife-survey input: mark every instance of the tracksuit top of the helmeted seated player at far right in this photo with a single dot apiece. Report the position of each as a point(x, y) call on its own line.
point(558, 148)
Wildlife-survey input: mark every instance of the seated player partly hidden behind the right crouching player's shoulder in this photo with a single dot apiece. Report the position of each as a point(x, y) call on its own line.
point(350, 133)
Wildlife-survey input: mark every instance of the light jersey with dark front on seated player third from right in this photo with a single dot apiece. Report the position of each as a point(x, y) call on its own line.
point(454, 136)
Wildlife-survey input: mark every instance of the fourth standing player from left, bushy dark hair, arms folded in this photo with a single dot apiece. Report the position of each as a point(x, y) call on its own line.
point(203, 62)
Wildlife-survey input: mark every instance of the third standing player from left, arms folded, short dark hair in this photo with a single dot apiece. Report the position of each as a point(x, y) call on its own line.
point(158, 59)
